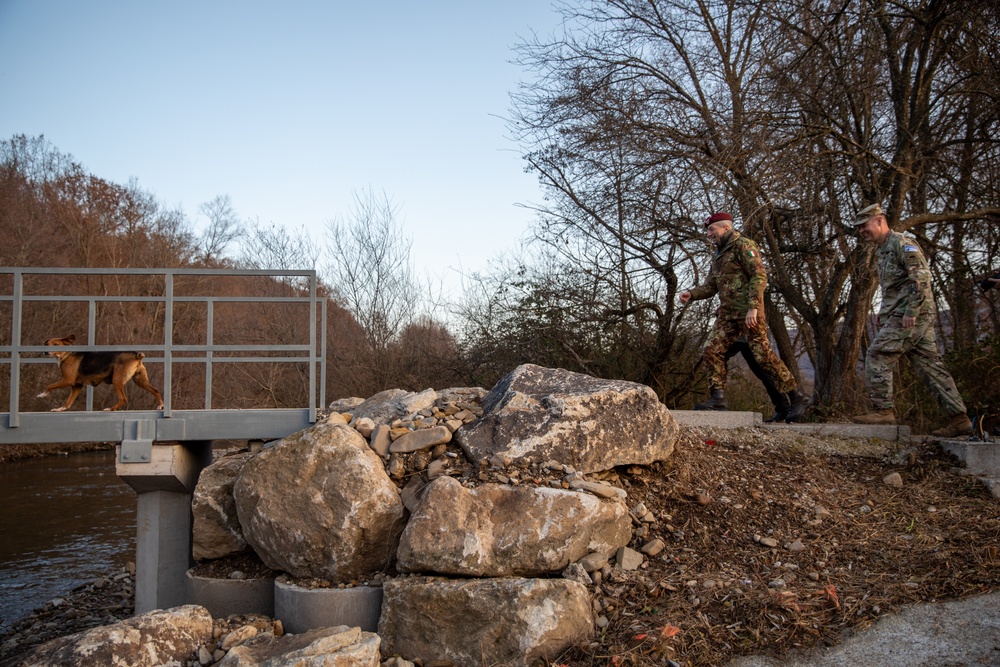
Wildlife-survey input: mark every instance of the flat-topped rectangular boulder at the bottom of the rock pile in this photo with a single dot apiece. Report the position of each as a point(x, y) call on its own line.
point(473, 622)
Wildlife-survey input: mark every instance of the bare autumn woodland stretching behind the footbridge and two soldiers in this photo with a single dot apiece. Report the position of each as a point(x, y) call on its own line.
point(641, 118)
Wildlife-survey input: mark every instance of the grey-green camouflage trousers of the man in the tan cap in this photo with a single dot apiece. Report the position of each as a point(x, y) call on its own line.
point(919, 345)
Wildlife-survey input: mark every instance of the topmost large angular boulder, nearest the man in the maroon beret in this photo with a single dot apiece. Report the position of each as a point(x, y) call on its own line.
point(537, 414)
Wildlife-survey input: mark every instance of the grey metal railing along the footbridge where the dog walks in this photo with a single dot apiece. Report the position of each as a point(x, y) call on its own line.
point(304, 291)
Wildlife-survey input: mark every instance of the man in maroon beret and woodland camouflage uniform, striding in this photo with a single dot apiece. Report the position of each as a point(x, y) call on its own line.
point(739, 278)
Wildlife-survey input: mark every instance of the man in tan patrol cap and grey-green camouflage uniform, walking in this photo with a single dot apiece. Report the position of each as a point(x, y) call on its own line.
point(906, 327)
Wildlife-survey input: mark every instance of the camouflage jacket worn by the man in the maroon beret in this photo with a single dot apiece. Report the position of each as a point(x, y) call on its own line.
point(737, 276)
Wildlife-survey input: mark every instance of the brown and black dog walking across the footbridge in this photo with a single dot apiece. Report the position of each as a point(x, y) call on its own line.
point(94, 368)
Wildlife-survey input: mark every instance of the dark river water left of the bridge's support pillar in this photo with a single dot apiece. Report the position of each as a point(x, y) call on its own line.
point(64, 521)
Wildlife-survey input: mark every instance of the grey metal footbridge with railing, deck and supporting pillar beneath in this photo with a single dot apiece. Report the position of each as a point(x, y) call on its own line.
point(237, 355)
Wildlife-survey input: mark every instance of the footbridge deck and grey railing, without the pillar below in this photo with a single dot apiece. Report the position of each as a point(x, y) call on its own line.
point(189, 320)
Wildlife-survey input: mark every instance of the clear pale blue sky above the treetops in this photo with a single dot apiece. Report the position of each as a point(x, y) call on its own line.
point(288, 108)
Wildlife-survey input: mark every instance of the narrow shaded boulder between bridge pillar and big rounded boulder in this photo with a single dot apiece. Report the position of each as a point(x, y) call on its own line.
point(216, 530)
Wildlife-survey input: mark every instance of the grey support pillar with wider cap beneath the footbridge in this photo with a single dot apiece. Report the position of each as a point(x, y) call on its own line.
point(164, 477)
